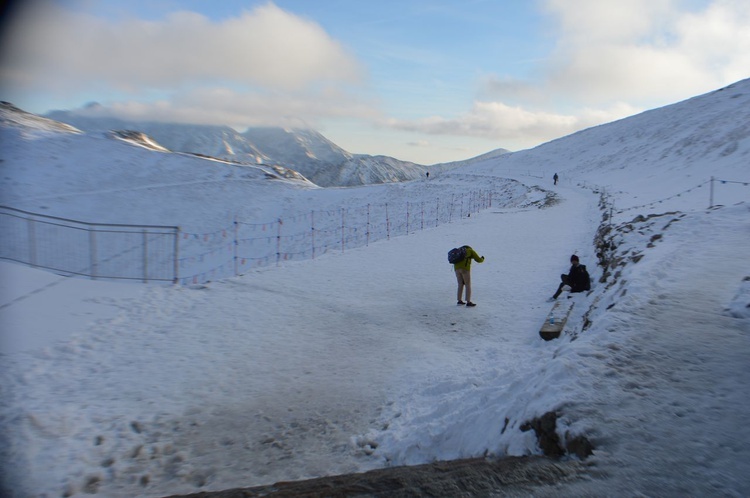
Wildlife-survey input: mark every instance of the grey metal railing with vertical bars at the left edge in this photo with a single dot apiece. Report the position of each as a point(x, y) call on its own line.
point(96, 250)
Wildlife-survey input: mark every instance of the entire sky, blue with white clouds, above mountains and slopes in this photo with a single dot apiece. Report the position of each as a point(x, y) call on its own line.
point(422, 80)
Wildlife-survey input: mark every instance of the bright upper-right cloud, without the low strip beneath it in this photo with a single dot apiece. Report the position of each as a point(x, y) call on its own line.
point(646, 51)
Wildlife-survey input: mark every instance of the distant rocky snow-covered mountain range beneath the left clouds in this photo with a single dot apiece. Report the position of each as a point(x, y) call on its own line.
point(305, 151)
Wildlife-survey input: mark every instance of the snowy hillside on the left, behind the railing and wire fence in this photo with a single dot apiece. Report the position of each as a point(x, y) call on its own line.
point(105, 180)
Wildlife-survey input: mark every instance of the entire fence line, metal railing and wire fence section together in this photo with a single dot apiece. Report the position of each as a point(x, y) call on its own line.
point(166, 253)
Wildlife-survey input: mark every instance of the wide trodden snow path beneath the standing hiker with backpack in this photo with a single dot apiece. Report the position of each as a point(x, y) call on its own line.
point(296, 361)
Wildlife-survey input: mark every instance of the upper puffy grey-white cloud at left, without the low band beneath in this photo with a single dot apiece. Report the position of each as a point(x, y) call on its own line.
point(59, 50)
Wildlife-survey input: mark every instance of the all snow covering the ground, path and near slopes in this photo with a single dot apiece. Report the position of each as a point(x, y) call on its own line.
point(360, 359)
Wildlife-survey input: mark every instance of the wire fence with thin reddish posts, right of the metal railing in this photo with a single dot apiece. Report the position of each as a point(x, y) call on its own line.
point(243, 246)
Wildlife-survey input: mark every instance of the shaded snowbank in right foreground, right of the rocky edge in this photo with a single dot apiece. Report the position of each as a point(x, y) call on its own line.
point(667, 380)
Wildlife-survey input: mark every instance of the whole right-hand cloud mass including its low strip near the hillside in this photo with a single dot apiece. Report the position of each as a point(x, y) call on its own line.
point(611, 60)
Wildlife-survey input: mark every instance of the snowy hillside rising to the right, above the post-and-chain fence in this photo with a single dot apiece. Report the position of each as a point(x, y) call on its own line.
point(656, 154)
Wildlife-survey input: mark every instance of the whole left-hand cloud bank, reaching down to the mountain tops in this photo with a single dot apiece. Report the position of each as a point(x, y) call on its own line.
point(265, 67)
